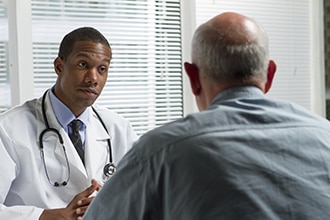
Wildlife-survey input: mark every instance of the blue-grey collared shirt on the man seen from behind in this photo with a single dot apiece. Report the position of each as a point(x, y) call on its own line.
point(245, 157)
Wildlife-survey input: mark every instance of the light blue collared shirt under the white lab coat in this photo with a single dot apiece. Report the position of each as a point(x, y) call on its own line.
point(65, 116)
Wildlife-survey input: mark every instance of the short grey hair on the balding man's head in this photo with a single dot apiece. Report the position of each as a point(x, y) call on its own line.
point(222, 58)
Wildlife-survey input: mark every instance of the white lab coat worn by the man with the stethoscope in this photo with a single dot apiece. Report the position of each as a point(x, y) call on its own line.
point(24, 187)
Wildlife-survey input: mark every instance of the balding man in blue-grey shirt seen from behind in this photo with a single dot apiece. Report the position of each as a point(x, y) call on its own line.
point(243, 156)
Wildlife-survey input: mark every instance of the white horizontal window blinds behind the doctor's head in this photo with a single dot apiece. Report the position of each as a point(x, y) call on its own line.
point(145, 77)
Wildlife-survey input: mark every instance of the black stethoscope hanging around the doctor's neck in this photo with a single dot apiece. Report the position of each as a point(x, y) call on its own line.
point(108, 170)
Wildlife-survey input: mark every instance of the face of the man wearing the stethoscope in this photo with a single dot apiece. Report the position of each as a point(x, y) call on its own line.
point(82, 75)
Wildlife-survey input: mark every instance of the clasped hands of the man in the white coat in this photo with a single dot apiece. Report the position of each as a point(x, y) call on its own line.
point(76, 208)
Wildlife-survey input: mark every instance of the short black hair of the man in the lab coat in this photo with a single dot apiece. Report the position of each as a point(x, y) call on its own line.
point(80, 34)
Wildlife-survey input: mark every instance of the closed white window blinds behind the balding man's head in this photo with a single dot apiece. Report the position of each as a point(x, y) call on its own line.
point(287, 23)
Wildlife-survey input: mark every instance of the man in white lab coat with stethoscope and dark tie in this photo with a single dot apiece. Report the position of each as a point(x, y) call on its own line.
point(42, 174)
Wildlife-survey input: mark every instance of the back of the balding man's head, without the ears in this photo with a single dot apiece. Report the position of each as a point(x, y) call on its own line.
point(231, 49)
